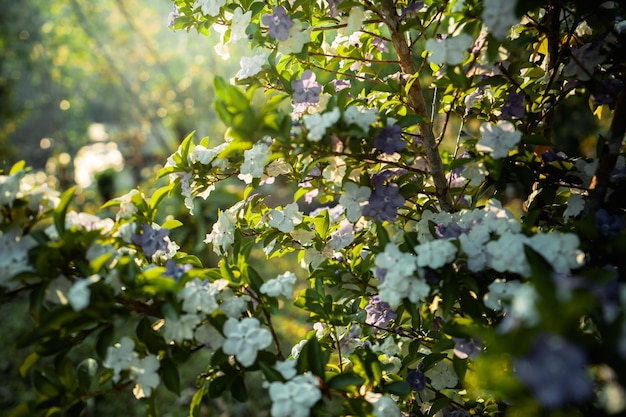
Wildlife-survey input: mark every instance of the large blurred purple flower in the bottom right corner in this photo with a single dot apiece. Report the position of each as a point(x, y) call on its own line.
point(554, 371)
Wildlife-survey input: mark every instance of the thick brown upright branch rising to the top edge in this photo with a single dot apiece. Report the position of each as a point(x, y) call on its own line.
point(418, 105)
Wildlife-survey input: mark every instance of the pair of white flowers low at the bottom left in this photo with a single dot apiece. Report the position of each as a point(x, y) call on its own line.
point(122, 357)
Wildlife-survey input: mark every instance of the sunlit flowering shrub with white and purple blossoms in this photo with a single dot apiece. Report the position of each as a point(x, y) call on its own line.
point(430, 288)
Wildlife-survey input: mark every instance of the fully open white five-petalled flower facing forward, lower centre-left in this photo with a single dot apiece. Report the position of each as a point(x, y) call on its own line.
point(244, 339)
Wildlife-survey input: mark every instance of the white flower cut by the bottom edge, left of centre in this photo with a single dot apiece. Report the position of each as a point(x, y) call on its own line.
point(294, 398)
